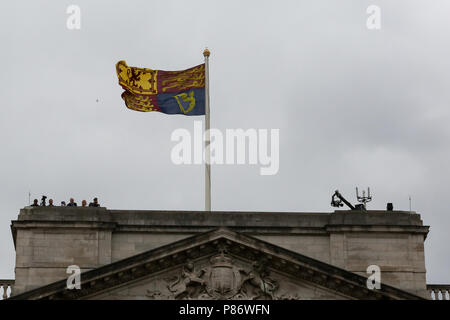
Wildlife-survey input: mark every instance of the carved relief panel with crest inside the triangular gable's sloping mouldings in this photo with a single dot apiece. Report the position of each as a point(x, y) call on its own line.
point(221, 276)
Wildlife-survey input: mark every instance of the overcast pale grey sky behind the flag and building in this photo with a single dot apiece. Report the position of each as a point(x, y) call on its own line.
point(355, 107)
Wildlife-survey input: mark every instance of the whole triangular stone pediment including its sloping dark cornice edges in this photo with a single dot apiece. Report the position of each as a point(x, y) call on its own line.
point(220, 264)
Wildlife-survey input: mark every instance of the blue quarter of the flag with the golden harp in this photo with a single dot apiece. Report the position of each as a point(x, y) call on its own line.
point(190, 102)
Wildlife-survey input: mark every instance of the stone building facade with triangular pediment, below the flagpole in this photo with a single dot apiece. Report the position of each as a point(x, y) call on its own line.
point(125, 254)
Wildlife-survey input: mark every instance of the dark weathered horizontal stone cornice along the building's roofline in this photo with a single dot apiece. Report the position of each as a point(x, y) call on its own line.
point(191, 222)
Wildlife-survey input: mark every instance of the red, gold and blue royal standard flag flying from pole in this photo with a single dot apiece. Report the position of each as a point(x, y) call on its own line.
point(171, 92)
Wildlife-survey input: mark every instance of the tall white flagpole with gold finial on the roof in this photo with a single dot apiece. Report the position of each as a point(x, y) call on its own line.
point(206, 54)
